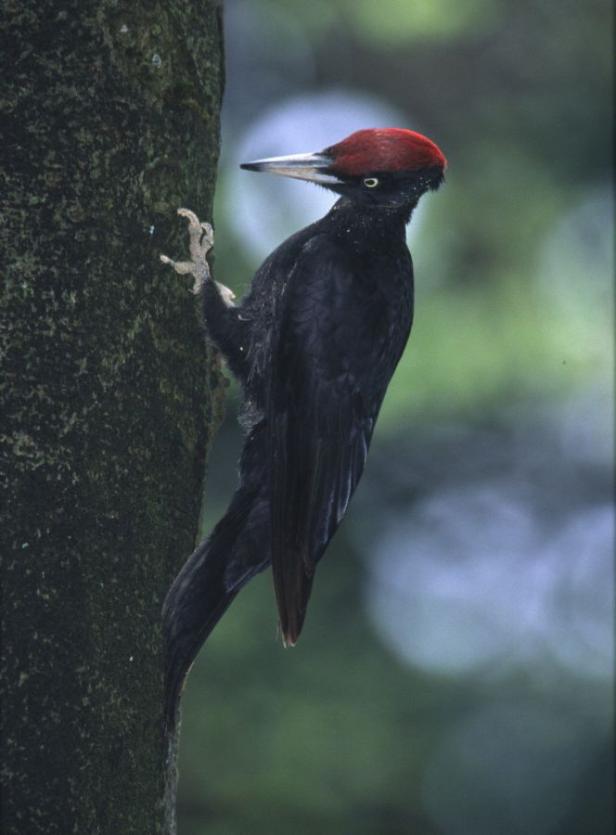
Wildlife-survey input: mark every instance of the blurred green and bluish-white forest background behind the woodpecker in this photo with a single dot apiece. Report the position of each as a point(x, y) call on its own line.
point(455, 673)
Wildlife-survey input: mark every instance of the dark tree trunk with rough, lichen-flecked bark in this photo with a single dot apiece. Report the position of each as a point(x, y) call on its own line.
point(110, 121)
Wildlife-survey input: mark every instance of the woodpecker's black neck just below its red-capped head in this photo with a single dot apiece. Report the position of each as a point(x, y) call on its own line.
point(368, 226)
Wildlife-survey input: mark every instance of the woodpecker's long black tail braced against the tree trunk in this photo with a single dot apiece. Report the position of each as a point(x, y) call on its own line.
point(236, 550)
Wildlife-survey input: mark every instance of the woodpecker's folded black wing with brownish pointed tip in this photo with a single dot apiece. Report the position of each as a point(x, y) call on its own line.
point(320, 414)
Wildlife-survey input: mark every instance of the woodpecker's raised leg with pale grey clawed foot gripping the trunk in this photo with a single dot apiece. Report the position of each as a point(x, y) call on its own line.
point(228, 328)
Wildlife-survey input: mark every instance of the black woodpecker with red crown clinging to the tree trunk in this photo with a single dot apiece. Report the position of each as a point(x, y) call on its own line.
point(314, 344)
